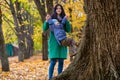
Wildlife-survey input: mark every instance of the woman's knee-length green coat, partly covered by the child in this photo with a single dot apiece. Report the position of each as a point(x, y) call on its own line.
point(54, 49)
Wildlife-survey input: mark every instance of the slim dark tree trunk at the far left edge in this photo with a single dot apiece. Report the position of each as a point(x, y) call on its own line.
point(3, 54)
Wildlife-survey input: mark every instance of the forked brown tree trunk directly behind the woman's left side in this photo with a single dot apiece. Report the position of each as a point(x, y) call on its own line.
point(41, 8)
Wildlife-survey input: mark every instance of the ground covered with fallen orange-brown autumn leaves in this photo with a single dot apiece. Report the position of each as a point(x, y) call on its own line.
point(31, 69)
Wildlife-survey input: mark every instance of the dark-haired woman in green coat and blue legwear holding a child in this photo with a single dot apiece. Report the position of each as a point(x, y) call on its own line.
point(56, 52)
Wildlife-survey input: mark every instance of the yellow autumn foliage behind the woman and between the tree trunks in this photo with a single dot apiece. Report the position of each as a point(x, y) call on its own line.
point(73, 8)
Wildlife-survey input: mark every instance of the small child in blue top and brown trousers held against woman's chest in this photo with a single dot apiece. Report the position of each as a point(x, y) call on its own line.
point(58, 29)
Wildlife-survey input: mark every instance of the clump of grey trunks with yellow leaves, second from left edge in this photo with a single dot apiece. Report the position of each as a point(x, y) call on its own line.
point(23, 29)
